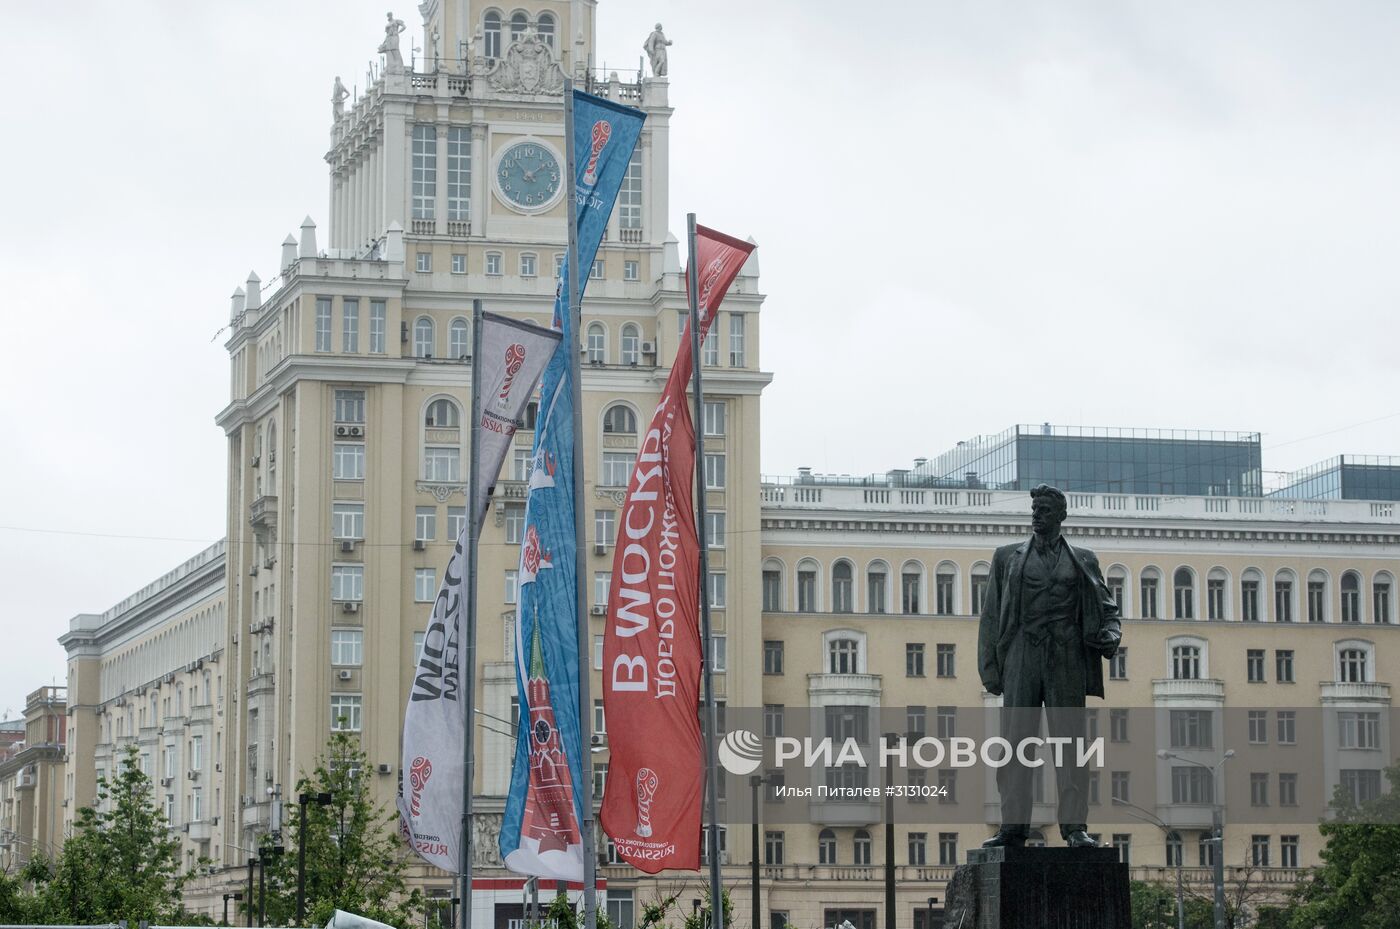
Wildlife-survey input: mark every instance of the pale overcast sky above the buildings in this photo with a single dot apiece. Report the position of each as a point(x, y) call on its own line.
point(969, 215)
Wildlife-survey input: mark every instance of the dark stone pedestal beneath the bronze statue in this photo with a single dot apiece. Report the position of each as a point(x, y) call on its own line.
point(1039, 889)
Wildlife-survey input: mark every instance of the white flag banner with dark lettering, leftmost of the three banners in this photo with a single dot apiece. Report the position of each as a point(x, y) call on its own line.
point(512, 356)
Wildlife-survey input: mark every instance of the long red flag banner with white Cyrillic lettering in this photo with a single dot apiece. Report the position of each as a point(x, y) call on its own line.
point(652, 646)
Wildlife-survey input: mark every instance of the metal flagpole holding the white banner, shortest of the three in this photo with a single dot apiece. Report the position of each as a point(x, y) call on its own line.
point(464, 865)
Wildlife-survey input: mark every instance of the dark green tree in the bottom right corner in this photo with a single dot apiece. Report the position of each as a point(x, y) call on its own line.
point(1357, 886)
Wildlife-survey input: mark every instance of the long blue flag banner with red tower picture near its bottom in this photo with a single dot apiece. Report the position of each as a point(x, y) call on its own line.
point(541, 832)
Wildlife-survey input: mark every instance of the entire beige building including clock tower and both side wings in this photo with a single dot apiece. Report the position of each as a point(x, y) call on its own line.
point(348, 458)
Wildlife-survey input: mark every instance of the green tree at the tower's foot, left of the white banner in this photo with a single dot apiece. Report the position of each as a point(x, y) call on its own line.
point(355, 858)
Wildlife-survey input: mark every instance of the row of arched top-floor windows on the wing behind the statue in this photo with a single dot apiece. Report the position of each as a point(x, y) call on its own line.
point(813, 597)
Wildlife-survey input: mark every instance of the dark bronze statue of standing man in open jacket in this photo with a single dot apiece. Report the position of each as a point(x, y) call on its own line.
point(1048, 623)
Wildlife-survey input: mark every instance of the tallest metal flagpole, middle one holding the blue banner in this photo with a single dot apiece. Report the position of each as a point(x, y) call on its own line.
point(575, 307)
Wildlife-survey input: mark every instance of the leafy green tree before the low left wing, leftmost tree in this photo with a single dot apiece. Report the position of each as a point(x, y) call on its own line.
point(122, 861)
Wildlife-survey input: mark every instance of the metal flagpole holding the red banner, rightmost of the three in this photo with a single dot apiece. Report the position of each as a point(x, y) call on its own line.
point(702, 523)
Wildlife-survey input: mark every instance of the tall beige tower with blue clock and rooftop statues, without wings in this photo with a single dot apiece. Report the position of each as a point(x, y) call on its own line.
point(348, 441)
